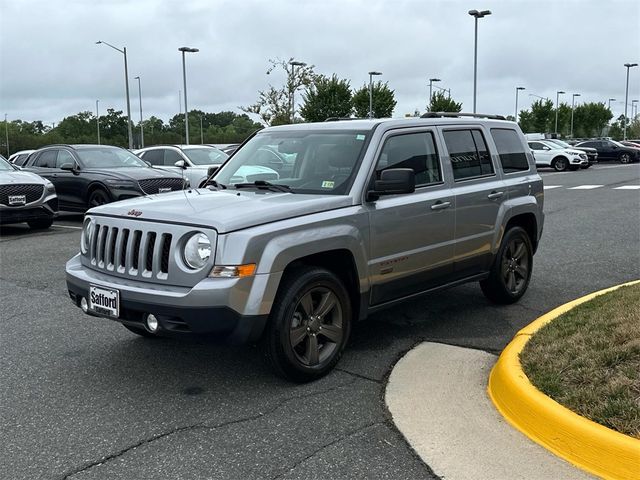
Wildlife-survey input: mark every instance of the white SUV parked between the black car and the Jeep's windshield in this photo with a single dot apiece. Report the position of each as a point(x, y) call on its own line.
point(195, 162)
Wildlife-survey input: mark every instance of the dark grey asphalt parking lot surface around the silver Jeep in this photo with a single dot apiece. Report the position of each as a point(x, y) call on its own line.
point(83, 398)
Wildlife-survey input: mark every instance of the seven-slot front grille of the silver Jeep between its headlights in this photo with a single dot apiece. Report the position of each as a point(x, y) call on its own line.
point(130, 252)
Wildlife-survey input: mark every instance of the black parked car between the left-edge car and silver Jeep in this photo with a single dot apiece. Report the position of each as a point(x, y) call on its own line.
point(86, 176)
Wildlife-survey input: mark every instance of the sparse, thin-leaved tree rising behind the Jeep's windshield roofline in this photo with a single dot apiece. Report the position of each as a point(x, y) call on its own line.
point(274, 105)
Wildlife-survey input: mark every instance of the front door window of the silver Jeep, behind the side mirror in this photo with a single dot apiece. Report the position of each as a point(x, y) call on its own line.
point(416, 151)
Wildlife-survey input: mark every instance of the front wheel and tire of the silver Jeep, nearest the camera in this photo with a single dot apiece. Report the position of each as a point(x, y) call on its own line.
point(311, 302)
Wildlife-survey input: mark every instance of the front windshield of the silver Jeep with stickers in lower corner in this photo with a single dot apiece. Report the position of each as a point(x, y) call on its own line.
point(309, 161)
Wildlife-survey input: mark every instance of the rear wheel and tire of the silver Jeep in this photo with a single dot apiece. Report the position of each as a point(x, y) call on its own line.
point(511, 271)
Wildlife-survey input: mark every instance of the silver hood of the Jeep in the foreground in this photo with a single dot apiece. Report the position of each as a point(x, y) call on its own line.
point(223, 210)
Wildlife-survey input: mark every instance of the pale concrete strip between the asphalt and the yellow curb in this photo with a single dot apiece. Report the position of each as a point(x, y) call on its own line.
point(437, 396)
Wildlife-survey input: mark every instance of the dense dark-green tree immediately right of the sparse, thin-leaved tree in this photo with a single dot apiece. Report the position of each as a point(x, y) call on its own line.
point(326, 97)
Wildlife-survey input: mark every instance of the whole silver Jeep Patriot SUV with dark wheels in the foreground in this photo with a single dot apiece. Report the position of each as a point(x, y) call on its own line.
point(348, 217)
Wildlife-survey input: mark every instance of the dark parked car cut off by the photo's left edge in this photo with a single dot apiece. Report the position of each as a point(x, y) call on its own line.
point(26, 197)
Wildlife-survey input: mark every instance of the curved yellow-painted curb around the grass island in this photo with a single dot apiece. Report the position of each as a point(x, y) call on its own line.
point(586, 444)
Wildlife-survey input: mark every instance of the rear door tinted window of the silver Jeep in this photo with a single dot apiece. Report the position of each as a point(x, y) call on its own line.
point(468, 153)
